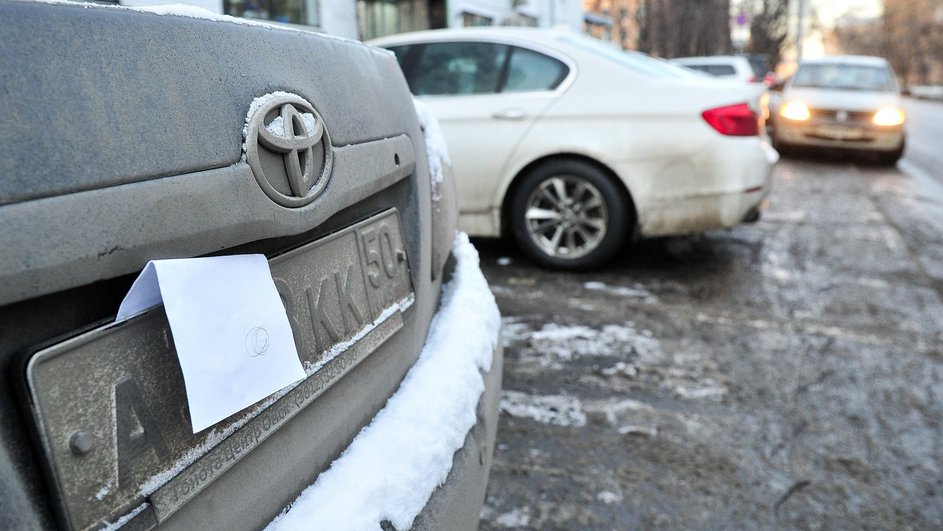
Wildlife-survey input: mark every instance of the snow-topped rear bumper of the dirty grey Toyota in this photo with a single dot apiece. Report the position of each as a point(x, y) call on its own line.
point(423, 460)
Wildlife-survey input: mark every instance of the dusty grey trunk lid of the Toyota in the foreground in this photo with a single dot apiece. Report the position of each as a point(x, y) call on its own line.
point(142, 157)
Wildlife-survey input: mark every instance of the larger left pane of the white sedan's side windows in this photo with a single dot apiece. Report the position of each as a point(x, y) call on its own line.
point(457, 68)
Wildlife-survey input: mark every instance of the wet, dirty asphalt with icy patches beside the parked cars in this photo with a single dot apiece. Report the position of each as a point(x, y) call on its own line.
point(782, 374)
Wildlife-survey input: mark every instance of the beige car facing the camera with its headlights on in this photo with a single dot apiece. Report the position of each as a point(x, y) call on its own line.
point(843, 102)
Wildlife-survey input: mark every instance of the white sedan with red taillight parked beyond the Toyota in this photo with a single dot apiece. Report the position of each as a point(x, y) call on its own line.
point(570, 145)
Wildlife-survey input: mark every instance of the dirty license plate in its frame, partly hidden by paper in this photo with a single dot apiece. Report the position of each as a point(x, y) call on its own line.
point(111, 408)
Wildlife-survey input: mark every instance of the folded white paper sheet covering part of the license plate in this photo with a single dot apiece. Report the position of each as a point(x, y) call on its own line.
point(229, 327)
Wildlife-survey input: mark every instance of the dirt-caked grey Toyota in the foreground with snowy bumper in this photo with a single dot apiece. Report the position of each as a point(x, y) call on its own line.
point(131, 136)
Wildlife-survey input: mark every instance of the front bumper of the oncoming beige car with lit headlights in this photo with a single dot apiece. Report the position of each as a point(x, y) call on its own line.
point(826, 135)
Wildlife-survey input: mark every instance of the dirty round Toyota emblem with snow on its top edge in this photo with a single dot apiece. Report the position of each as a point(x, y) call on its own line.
point(288, 148)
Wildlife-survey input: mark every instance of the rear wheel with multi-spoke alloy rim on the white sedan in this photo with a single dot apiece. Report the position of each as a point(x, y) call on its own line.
point(569, 214)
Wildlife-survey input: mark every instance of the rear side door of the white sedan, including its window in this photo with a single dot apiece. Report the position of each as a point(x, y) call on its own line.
point(486, 96)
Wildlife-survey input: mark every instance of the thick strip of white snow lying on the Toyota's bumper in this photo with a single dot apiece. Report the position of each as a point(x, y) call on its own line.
point(393, 466)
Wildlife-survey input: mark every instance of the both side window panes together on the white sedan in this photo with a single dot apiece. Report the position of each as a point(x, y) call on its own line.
point(464, 68)
